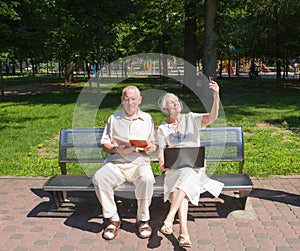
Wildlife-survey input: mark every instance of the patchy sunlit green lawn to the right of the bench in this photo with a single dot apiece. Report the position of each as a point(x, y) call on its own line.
point(270, 117)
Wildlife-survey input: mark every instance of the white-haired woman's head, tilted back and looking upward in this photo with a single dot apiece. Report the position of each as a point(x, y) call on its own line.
point(170, 104)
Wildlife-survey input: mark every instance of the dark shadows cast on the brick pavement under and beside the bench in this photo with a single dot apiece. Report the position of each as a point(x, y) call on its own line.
point(86, 210)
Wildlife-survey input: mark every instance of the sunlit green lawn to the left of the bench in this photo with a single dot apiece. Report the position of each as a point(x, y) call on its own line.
point(29, 132)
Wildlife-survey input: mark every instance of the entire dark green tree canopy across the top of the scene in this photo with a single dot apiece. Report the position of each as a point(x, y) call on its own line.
point(84, 31)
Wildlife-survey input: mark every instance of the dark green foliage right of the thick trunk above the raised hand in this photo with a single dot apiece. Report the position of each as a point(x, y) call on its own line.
point(257, 29)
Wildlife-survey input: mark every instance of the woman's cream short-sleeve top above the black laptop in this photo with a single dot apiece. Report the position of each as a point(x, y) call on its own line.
point(185, 134)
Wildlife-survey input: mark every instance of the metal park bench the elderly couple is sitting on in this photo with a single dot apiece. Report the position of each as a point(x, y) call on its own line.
point(222, 144)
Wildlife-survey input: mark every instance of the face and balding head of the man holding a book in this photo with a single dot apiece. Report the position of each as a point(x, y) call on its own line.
point(131, 102)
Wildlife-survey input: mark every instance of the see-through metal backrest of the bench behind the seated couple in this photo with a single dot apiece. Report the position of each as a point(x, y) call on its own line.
point(83, 145)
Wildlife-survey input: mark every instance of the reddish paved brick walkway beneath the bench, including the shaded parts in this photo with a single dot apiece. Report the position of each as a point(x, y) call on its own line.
point(271, 220)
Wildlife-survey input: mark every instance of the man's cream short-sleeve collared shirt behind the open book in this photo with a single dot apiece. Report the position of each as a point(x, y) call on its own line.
point(121, 125)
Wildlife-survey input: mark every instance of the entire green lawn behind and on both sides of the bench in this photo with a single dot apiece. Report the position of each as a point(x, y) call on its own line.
point(268, 113)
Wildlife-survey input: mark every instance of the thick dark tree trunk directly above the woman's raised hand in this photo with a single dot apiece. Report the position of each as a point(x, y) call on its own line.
point(210, 37)
